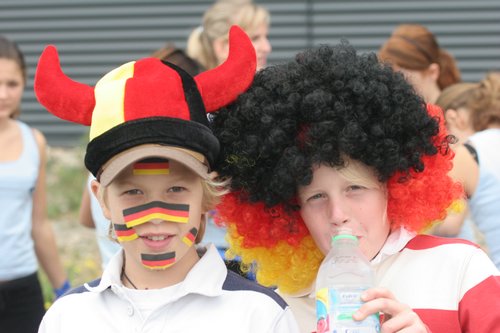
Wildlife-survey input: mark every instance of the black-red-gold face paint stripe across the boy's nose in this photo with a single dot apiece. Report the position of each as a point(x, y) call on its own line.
point(156, 210)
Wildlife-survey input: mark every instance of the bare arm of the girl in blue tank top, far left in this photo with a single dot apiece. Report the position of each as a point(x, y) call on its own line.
point(42, 233)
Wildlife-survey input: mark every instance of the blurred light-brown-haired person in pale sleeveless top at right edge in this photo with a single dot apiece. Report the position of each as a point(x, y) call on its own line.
point(472, 114)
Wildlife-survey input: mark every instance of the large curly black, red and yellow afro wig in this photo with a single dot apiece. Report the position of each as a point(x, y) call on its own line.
point(328, 105)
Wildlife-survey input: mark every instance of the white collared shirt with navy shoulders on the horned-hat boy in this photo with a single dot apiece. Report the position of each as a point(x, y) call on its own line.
point(210, 299)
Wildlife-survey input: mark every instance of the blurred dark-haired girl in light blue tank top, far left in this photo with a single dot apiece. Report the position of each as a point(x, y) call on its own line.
point(26, 234)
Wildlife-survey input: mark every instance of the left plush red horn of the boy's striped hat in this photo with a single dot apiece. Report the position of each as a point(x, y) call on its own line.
point(63, 97)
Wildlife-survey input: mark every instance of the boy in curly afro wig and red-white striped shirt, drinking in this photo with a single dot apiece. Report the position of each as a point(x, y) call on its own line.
point(335, 139)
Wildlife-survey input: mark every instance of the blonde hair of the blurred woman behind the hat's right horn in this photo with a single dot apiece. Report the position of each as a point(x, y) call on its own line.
point(216, 23)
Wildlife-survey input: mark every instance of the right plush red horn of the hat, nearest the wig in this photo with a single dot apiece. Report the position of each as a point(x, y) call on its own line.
point(222, 85)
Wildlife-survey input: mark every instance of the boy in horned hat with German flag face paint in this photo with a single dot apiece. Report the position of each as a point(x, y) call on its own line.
point(152, 154)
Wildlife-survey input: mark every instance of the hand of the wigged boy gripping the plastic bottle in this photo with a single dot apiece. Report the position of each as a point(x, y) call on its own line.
point(398, 317)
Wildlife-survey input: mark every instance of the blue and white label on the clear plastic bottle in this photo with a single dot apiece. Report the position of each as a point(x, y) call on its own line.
point(334, 310)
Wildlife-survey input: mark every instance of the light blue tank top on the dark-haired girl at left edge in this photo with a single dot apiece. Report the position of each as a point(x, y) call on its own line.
point(17, 182)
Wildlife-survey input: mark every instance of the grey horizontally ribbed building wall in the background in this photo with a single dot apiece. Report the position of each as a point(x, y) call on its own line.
point(95, 36)
